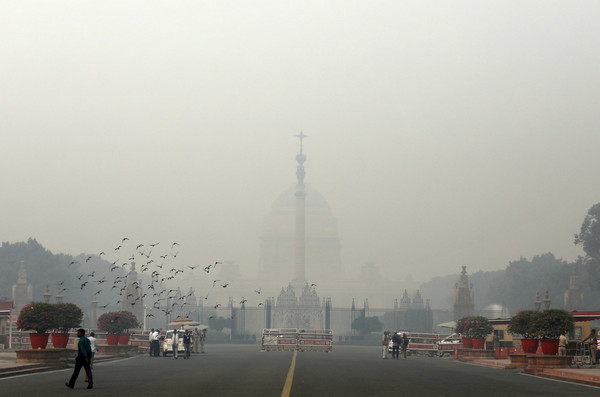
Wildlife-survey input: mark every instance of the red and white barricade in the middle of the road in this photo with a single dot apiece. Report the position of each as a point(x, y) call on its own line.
point(288, 339)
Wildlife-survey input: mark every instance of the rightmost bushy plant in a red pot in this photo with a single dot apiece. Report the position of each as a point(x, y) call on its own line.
point(550, 324)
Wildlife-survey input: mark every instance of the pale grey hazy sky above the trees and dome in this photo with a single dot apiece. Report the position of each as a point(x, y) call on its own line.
point(442, 133)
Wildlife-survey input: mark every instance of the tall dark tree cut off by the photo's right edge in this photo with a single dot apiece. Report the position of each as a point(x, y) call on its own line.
point(589, 239)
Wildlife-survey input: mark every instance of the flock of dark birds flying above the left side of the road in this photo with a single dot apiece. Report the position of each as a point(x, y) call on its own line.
point(162, 271)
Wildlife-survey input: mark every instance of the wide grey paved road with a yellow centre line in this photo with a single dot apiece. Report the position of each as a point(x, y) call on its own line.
point(228, 370)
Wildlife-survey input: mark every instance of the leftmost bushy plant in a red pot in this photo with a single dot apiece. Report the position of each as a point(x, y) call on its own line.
point(39, 317)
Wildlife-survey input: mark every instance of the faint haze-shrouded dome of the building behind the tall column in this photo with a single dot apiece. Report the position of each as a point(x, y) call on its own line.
point(323, 258)
